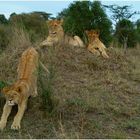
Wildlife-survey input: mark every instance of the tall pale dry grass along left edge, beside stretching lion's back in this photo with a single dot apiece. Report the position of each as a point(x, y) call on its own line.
point(9, 58)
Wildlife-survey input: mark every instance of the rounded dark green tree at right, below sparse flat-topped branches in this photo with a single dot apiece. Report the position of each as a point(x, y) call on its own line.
point(125, 33)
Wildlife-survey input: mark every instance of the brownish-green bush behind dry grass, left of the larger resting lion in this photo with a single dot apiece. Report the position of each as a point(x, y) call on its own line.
point(33, 23)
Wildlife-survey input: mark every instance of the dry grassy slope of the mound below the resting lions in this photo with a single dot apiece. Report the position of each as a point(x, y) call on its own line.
point(96, 98)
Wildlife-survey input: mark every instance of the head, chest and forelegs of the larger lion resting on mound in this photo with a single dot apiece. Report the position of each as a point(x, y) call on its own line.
point(56, 33)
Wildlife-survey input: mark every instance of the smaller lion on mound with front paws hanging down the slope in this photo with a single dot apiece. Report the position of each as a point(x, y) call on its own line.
point(95, 46)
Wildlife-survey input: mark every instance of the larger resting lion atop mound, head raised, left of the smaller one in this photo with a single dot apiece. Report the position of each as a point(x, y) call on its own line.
point(58, 37)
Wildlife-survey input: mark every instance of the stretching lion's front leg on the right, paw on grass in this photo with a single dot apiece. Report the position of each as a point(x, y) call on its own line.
point(21, 109)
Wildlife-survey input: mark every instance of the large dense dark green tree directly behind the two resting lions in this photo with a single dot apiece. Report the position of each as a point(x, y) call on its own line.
point(86, 15)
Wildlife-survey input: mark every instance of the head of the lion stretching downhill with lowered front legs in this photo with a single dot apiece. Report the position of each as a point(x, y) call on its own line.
point(13, 95)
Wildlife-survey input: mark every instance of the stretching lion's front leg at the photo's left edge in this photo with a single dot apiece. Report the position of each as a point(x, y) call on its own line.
point(4, 117)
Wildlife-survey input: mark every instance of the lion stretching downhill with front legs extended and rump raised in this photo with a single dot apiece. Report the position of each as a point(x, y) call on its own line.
point(25, 86)
